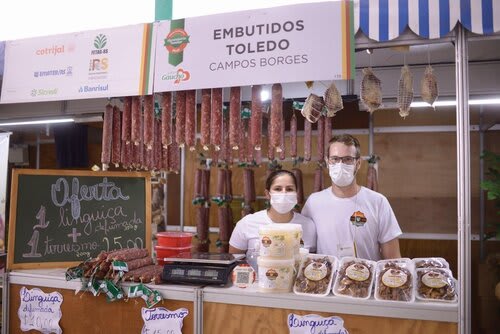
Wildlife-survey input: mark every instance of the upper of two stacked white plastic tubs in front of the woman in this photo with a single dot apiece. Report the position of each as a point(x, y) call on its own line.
point(280, 241)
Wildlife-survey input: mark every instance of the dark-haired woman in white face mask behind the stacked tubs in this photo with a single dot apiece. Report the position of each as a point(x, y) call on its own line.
point(281, 191)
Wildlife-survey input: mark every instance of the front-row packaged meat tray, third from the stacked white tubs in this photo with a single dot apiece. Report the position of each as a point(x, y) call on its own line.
point(394, 280)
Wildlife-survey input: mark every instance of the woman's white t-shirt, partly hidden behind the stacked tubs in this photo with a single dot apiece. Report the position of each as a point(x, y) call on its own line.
point(246, 233)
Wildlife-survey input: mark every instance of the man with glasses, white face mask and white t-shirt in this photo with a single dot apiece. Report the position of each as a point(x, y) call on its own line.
point(351, 220)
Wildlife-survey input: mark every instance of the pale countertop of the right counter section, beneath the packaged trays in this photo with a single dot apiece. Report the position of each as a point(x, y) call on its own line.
point(446, 312)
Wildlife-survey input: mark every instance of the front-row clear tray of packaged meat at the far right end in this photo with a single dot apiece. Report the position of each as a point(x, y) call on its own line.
point(436, 284)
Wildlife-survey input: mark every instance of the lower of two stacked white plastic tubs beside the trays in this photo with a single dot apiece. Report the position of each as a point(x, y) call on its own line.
point(275, 275)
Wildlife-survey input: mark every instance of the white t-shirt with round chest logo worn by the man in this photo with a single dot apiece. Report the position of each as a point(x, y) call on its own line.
point(375, 223)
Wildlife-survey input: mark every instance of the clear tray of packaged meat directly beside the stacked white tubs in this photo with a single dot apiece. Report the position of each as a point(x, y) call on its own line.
point(315, 275)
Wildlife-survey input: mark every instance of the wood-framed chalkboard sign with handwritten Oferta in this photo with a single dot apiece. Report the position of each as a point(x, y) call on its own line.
point(59, 218)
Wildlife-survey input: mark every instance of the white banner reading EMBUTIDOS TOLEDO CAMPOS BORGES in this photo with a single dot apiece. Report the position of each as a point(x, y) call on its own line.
point(283, 44)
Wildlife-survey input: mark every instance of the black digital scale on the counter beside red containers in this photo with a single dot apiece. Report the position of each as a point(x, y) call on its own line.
point(200, 268)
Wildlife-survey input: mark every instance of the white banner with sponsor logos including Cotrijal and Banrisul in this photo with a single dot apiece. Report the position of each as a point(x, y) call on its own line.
point(91, 64)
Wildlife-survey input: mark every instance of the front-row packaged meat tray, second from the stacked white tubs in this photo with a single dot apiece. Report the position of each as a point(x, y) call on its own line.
point(354, 278)
